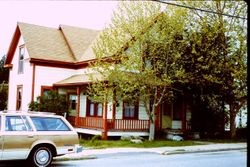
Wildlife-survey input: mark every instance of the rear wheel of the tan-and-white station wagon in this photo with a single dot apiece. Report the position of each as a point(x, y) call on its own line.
point(41, 157)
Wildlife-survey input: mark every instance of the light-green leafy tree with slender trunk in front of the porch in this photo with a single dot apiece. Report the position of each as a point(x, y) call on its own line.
point(138, 56)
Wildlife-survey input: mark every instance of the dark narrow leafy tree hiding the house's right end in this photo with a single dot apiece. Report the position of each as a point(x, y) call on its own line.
point(205, 74)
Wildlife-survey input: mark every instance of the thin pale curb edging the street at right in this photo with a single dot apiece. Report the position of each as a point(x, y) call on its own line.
point(199, 151)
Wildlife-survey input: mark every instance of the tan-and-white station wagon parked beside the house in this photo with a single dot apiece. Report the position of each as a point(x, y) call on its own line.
point(36, 136)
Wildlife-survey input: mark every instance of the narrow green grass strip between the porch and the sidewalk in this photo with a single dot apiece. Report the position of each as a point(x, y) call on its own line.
point(146, 144)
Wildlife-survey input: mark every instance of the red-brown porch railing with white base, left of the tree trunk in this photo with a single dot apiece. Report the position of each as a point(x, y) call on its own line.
point(112, 127)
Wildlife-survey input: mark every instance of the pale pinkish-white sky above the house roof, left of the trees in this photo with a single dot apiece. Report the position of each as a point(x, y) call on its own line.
point(85, 14)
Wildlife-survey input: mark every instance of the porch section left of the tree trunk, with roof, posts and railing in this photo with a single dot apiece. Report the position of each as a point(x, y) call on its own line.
point(98, 119)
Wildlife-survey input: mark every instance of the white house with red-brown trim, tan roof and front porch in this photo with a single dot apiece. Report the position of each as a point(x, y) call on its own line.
point(40, 59)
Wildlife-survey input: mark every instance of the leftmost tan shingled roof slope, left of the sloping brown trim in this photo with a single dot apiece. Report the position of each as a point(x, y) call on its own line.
point(45, 43)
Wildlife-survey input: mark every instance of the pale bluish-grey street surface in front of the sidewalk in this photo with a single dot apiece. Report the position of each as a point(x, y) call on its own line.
point(233, 158)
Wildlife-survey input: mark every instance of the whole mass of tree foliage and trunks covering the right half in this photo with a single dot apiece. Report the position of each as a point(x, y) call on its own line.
point(151, 55)
